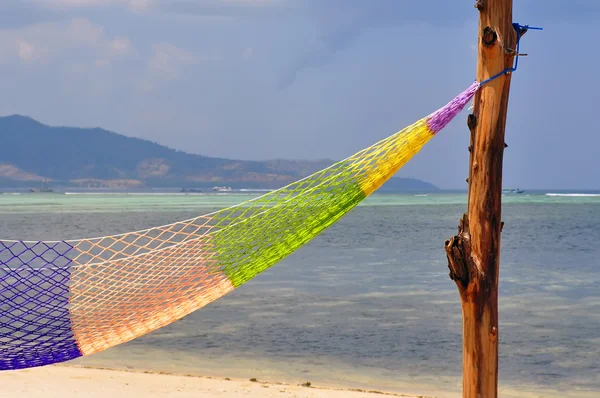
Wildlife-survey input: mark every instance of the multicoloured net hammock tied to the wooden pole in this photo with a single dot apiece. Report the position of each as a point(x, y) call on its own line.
point(61, 300)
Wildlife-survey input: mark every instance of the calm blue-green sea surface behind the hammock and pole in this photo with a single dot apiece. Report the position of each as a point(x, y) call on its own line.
point(368, 303)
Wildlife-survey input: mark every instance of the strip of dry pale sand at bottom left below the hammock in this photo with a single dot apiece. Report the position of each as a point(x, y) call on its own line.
point(63, 381)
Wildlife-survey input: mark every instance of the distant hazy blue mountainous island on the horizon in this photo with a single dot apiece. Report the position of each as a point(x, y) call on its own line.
point(40, 157)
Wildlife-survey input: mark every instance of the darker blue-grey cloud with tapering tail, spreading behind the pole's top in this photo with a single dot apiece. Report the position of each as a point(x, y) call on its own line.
point(341, 22)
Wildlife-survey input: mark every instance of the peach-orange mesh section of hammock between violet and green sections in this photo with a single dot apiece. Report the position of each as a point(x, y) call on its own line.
point(116, 301)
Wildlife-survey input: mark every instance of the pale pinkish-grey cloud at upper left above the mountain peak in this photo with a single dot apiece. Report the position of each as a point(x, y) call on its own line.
point(48, 41)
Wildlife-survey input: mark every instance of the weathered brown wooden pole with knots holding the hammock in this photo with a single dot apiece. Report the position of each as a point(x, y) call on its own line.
point(474, 254)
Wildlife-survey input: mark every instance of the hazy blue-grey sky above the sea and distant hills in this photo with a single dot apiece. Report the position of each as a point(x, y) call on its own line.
point(305, 79)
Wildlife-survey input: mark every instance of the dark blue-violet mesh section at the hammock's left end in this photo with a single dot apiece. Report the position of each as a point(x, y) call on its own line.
point(35, 324)
